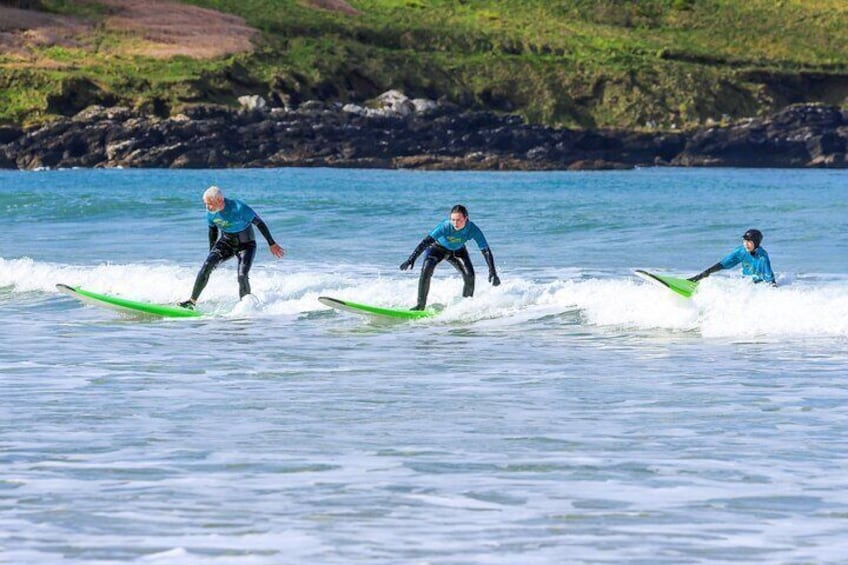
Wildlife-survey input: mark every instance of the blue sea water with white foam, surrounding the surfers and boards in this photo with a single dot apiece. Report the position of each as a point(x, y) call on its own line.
point(574, 414)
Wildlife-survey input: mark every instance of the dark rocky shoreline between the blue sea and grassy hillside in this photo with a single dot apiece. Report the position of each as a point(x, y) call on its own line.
point(396, 132)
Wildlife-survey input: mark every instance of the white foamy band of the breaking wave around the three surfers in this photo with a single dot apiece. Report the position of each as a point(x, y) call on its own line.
point(809, 305)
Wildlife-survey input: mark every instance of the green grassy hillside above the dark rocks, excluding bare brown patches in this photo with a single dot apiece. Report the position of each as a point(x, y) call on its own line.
point(589, 63)
